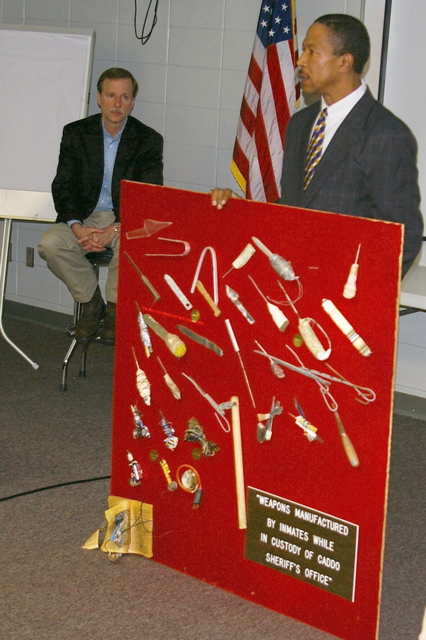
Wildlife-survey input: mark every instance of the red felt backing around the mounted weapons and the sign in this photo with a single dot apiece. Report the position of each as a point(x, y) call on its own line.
point(206, 542)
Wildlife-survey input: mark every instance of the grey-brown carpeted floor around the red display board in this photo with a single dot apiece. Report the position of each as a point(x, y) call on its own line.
point(54, 468)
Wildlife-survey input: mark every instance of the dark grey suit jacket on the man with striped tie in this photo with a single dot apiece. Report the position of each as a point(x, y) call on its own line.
point(369, 169)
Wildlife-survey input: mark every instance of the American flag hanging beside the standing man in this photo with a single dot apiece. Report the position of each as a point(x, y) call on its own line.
point(270, 97)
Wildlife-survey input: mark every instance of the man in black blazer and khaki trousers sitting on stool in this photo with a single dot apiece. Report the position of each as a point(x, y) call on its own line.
point(96, 153)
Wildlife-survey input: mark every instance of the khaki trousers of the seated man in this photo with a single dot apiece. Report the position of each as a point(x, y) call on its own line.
point(65, 258)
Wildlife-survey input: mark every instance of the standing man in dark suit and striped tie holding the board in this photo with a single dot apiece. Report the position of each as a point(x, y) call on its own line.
point(362, 159)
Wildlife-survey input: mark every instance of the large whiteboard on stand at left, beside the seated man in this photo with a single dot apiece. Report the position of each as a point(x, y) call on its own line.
point(46, 76)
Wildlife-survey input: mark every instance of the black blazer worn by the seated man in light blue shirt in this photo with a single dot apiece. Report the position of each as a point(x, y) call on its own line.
point(78, 181)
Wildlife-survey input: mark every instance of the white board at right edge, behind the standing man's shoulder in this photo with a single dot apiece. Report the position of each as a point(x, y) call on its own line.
point(404, 85)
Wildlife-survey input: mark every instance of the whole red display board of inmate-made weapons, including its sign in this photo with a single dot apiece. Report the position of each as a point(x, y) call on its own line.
point(313, 545)
